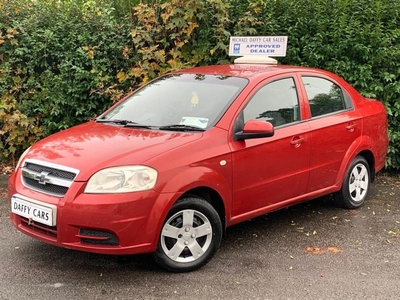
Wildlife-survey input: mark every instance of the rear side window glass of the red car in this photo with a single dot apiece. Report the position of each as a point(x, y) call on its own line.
point(324, 96)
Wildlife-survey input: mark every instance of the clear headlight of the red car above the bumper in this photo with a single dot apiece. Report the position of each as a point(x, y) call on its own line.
point(123, 179)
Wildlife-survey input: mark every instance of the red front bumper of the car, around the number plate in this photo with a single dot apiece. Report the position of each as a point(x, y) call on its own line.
point(99, 223)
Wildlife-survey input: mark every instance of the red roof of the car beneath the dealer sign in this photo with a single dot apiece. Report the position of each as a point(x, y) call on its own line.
point(247, 70)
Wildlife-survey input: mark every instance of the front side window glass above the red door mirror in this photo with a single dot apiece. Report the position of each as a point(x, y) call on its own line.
point(275, 102)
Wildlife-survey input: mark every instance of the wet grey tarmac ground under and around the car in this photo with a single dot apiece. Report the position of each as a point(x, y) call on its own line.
point(309, 251)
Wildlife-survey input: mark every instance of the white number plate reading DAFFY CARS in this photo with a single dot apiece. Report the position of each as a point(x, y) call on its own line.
point(34, 210)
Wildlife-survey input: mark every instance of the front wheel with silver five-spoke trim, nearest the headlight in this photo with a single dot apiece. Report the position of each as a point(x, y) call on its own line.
point(190, 236)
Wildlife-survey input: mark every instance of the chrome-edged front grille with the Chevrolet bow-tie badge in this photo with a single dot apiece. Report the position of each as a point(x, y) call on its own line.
point(48, 178)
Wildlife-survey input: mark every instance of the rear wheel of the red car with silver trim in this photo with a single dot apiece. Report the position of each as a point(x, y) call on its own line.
point(355, 185)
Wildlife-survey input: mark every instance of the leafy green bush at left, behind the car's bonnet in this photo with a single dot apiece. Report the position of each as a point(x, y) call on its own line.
point(58, 61)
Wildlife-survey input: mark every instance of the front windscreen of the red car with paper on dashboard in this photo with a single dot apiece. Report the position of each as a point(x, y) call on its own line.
point(187, 100)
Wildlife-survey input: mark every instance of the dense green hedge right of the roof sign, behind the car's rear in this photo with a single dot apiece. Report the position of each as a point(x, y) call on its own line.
point(357, 39)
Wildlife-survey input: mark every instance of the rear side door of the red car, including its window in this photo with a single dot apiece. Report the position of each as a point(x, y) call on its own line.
point(334, 124)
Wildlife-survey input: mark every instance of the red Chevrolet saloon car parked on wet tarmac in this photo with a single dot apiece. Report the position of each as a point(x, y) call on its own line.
point(171, 166)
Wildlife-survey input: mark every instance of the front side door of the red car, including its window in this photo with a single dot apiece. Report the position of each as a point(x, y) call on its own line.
point(267, 171)
